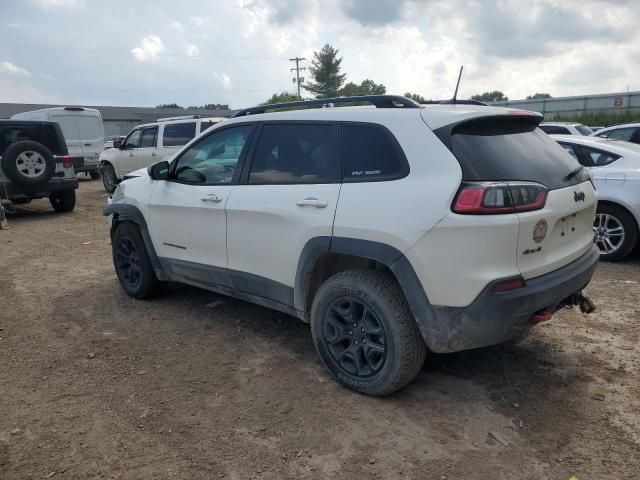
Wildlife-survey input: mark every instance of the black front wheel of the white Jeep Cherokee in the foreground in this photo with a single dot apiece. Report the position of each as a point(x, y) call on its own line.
point(132, 264)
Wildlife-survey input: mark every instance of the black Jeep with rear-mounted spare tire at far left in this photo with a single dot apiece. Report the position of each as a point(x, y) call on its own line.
point(35, 163)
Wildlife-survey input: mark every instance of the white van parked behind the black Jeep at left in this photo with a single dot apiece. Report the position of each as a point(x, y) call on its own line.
point(83, 131)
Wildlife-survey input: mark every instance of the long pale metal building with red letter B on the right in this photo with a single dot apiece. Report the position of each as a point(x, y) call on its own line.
point(576, 106)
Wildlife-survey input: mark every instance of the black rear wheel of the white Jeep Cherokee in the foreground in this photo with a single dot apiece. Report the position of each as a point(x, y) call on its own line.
point(365, 333)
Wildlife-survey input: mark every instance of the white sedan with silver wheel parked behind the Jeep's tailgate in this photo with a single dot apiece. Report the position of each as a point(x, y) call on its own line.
point(615, 167)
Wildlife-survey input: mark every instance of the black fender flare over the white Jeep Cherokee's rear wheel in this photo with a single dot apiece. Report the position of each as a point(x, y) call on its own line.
point(387, 255)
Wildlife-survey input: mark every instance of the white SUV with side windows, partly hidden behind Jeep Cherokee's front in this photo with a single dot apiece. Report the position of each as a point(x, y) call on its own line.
point(147, 144)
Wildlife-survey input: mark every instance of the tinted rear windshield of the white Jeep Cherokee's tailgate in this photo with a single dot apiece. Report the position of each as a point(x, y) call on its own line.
point(509, 149)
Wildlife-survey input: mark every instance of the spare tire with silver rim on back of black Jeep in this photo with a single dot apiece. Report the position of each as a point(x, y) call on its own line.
point(28, 164)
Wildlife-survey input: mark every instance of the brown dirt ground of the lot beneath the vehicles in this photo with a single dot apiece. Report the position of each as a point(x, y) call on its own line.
point(94, 384)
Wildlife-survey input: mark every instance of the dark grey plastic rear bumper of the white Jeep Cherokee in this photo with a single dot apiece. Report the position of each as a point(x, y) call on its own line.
point(495, 317)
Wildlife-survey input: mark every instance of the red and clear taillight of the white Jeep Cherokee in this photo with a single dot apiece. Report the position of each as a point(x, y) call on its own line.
point(486, 198)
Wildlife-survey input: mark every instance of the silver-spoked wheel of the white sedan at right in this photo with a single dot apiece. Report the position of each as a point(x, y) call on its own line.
point(615, 232)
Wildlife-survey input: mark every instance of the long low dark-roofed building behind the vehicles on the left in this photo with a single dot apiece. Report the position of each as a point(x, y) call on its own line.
point(119, 120)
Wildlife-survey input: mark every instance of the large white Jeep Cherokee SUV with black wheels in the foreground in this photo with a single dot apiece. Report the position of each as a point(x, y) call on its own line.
point(392, 230)
